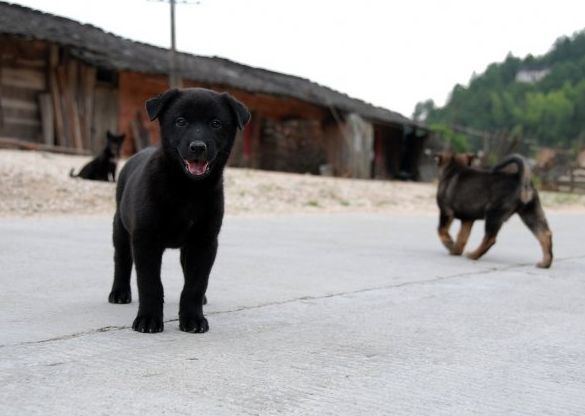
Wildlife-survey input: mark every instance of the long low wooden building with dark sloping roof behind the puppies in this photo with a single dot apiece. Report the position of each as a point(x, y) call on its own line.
point(63, 84)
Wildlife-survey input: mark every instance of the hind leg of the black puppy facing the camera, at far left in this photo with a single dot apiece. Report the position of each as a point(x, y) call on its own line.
point(122, 264)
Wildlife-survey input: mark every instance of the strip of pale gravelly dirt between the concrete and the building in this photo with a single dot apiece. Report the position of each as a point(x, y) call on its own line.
point(38, 184)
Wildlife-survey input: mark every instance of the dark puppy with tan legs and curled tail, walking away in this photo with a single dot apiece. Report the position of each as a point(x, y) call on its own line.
point(471, 194)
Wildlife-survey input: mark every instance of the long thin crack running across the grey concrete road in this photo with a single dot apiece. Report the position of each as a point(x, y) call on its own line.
point(305, 298)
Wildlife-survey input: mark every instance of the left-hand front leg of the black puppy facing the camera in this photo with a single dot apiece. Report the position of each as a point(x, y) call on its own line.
point(147, 259)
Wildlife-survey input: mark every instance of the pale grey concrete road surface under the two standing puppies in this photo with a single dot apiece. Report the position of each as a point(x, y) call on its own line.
point(309, 315)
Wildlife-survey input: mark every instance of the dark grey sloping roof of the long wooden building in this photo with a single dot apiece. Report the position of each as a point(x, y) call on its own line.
point(101, 48)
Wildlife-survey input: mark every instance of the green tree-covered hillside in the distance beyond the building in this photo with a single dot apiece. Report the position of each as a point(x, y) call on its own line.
point(541, 98)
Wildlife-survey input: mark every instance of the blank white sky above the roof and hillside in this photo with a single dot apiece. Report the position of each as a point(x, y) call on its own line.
point(389, 53)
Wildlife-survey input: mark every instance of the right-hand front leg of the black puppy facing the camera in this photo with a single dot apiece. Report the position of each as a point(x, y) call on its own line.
point(197, 258)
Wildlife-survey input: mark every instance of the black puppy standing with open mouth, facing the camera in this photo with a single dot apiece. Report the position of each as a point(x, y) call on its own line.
point(172, 197)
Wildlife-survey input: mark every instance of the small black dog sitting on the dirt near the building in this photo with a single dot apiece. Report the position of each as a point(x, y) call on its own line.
point(103, 166)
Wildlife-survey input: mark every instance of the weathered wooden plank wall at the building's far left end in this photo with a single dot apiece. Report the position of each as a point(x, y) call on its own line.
point(45, 96)
